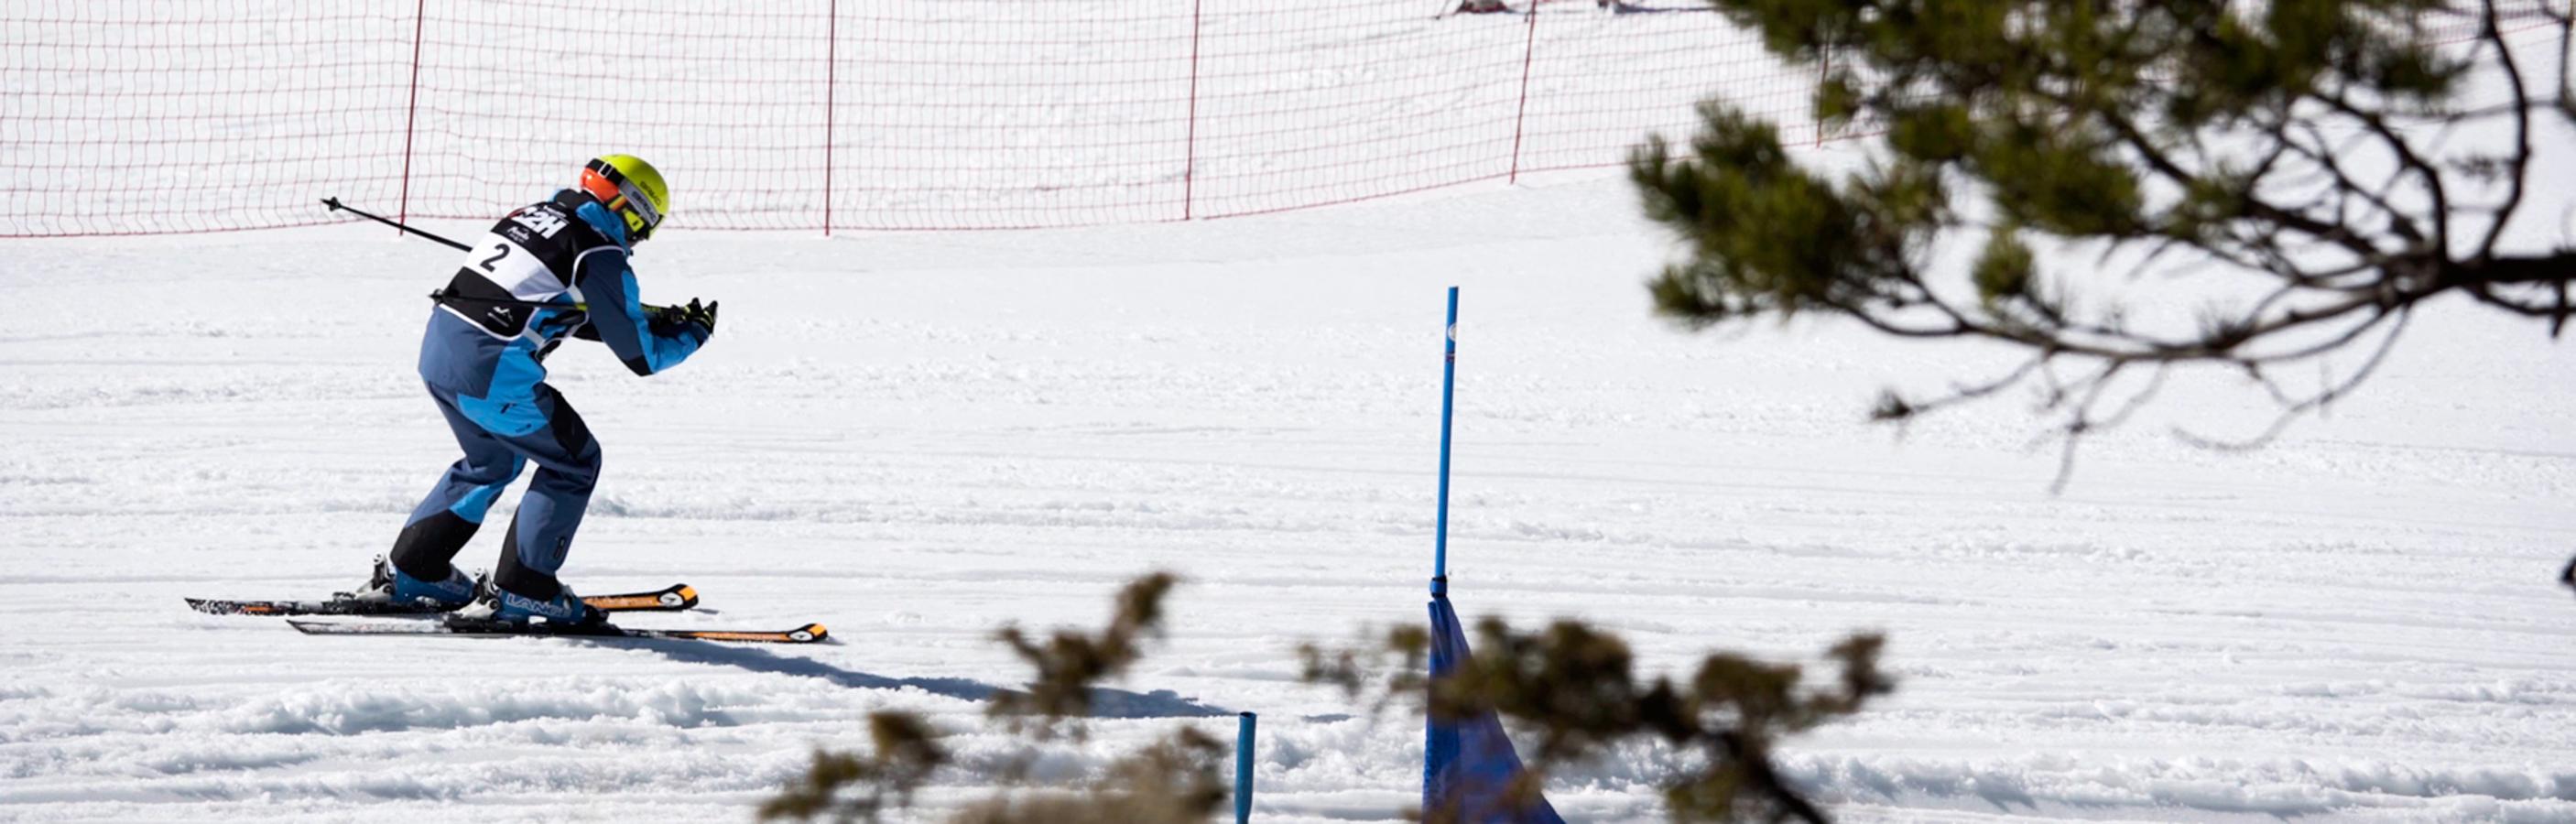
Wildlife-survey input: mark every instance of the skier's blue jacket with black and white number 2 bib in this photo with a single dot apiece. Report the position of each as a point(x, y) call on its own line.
point(547, 272)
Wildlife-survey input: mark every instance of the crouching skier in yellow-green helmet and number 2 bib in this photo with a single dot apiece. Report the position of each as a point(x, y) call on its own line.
point(547, 272)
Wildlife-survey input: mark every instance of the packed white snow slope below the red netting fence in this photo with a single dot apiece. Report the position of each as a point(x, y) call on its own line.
point(921, 439)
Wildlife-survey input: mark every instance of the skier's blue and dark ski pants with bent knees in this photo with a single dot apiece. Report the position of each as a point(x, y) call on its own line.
point(498, 442)
